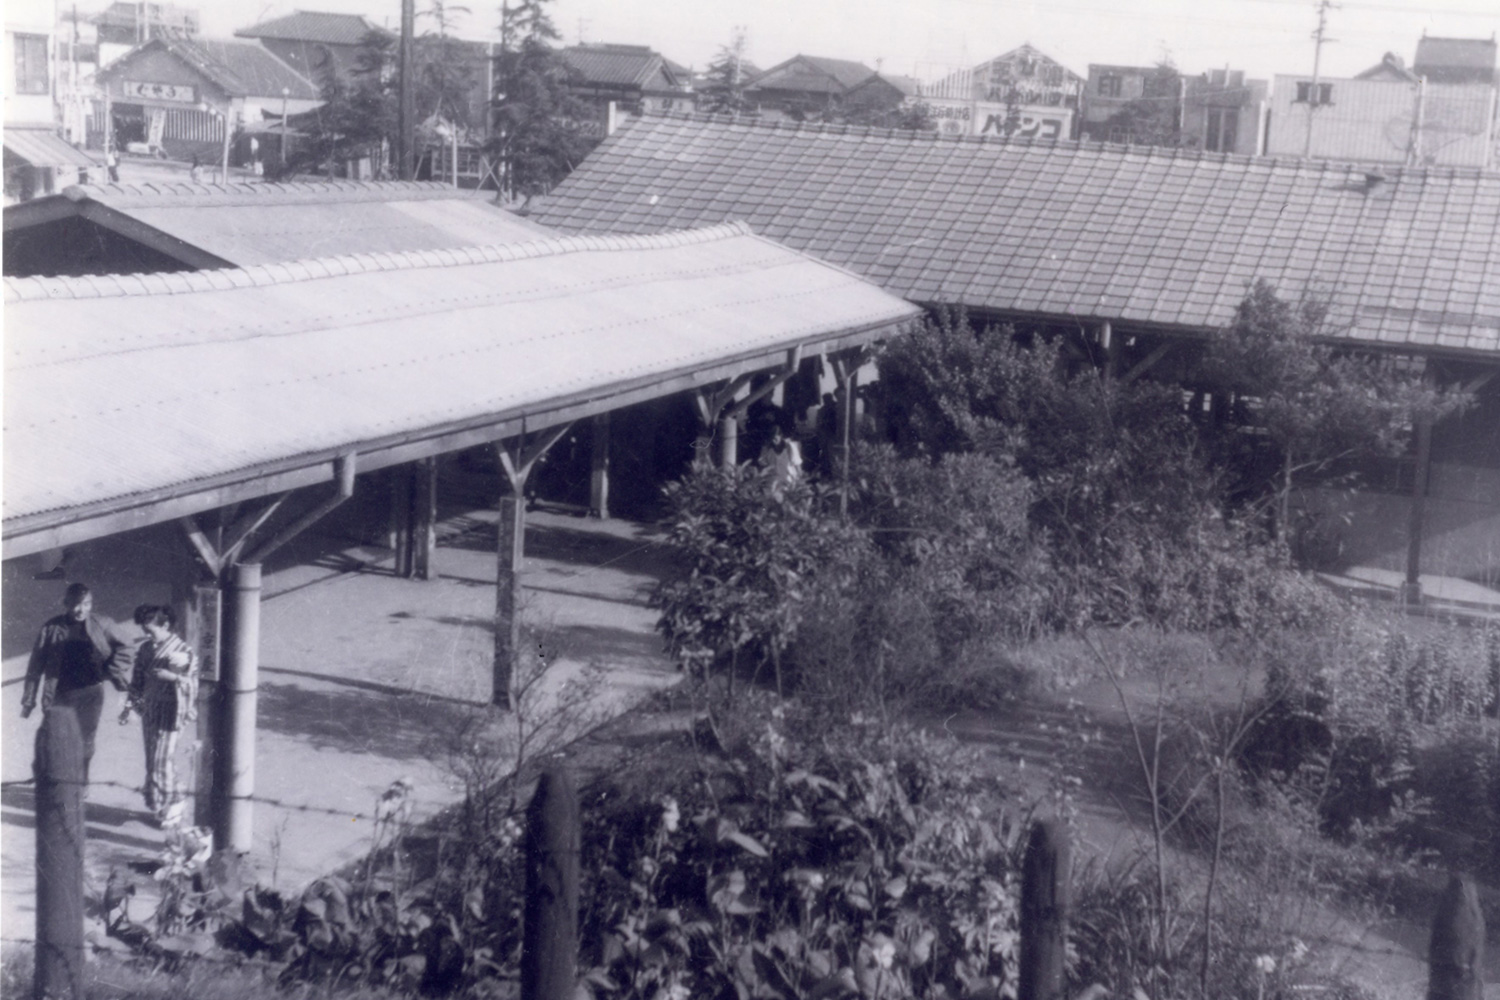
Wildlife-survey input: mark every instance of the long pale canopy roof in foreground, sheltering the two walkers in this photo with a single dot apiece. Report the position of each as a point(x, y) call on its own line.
point(136, 400)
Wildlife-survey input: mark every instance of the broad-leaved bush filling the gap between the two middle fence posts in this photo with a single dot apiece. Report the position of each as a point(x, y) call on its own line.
point(815, 863)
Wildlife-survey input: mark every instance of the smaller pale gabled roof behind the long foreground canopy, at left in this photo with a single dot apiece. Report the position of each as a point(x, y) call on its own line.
point(212, 226)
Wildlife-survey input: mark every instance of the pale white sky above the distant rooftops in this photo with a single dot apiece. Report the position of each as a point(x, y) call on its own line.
point(926, 38)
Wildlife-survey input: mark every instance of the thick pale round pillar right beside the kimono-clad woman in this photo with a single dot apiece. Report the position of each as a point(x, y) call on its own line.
point(235, 765)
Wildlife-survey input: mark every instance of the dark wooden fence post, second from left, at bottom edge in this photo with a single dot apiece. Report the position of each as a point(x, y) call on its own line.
point(550, 932)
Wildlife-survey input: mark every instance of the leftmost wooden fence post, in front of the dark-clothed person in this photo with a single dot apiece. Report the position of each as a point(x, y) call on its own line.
point(59, 767)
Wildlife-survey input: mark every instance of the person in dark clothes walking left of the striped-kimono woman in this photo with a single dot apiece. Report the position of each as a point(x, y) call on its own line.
point(74, 656)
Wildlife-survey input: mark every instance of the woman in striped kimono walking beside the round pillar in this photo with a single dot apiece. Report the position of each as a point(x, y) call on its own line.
point(164, 690)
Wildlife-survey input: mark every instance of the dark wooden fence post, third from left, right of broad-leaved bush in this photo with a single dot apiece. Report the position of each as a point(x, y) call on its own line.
point(1045, 912)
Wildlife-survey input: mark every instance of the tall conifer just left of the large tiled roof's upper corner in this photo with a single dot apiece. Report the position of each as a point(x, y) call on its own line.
point(542, 128)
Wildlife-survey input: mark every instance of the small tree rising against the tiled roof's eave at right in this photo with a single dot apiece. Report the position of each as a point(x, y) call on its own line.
point(1315, 406)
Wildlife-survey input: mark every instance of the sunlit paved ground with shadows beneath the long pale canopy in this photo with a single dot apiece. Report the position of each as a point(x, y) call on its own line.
point(365, 678)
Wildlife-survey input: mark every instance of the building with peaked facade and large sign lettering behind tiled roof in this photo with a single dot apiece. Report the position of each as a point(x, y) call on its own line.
point(1024, 94)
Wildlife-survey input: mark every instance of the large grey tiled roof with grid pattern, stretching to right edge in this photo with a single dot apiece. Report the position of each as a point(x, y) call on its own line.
point(1133, 235)
